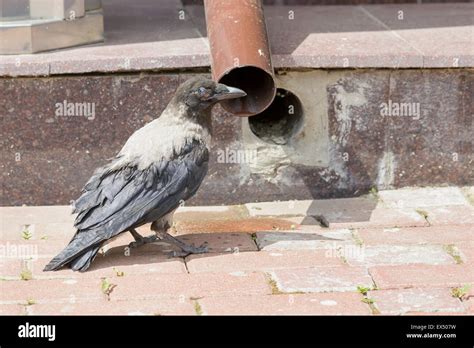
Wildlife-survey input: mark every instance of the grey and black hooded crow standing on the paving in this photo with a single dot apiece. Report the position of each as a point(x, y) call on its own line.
point(160, 166)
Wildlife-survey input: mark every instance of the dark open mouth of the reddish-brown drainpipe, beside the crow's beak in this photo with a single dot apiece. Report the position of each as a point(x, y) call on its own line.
point(257, 83)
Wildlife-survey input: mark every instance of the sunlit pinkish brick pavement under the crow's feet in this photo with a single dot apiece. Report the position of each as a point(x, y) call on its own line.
point(406, 251)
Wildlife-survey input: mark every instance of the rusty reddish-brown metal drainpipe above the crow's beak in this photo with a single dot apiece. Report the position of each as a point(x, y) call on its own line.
point(240, 53)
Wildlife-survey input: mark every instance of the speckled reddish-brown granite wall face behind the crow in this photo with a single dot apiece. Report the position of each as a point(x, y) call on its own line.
point(386, 128)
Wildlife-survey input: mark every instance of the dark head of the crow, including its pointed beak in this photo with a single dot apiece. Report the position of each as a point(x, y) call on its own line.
point(200, 93)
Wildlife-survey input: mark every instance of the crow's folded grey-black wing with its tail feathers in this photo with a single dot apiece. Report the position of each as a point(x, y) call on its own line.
point(115, 201)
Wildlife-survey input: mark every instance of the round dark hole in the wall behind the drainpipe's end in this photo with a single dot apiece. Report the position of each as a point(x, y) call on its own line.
point(280, 121)
